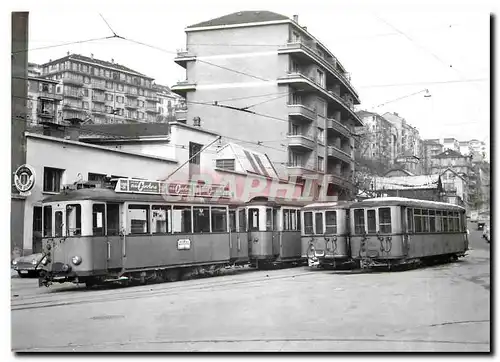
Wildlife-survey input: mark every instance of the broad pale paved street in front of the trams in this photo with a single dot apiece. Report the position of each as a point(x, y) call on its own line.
point(443, 308)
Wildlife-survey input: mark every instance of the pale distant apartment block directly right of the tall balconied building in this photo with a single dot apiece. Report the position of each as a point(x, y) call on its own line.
point(377, 139)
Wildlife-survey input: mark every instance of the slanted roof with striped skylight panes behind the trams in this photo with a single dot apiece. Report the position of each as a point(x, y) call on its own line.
point(251, 161)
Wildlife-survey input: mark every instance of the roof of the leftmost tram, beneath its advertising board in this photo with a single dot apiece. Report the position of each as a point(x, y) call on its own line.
point(108, 195)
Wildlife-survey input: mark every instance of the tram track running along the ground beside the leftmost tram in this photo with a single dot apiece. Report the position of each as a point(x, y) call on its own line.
point(174, 288)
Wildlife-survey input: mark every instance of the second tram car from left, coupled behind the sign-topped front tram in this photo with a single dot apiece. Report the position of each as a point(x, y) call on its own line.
point(274, 232)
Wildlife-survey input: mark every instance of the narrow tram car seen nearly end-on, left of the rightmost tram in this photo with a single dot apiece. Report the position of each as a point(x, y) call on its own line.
point(325, 234)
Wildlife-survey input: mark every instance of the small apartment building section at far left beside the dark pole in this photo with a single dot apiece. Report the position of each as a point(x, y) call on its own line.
point(44, 101)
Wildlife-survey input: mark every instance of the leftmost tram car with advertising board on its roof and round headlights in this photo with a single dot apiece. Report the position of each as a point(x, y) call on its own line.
point(135, 232)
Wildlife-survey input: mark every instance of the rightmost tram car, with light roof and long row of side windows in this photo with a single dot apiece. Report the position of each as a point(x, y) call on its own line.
point(394, 231)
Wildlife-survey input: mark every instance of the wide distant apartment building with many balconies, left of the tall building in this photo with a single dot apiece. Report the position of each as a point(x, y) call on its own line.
point(101, 91)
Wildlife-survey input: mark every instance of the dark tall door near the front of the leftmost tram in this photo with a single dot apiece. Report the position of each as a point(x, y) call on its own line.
point(114, 237)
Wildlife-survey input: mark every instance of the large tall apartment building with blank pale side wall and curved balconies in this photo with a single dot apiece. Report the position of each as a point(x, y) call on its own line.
point(300, 92)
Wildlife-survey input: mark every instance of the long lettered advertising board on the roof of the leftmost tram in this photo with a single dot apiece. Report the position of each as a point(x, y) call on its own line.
point(171, 188)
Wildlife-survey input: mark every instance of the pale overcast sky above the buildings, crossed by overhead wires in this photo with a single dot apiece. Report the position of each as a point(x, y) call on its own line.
point(391, 50)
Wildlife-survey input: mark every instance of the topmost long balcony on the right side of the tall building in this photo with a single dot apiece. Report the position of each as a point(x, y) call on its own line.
point(305, 49)
